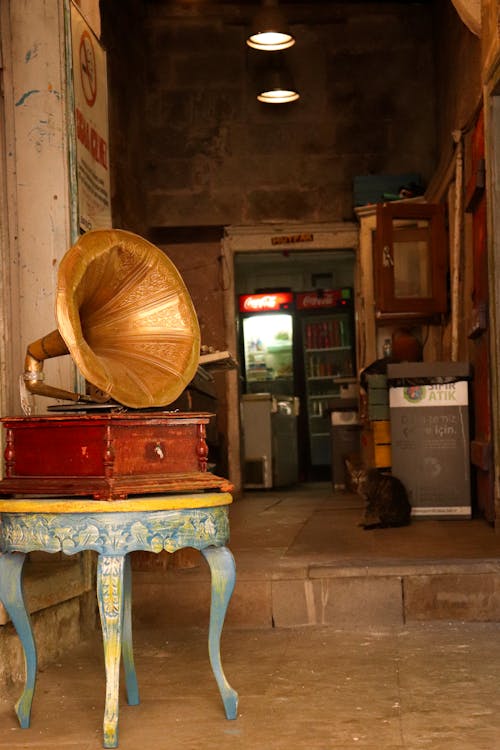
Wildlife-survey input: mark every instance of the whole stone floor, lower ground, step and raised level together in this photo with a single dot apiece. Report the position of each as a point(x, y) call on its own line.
point(420, 678)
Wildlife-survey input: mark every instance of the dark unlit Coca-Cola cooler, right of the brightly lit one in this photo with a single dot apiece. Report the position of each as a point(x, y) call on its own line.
point(328, 354)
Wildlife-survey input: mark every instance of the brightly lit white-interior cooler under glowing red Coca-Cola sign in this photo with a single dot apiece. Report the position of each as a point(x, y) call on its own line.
point(267, 342)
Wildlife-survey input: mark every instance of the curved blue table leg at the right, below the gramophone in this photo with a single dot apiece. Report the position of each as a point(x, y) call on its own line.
point(223, 572)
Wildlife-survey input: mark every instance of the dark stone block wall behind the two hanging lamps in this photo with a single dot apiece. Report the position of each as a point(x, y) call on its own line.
point(213, 155)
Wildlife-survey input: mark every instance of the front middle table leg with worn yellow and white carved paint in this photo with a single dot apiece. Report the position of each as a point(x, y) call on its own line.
point(110, 571)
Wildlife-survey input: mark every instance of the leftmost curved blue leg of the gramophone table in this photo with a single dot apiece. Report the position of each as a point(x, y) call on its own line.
point(11, 594)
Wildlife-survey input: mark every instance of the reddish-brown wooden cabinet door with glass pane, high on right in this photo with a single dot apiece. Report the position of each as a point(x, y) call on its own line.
point(410, 259)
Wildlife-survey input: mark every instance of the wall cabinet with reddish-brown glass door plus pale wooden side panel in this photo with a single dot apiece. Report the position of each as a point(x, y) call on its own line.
point(401, 271)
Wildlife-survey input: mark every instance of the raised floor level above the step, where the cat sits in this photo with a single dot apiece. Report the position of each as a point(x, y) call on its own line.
point(310, 523)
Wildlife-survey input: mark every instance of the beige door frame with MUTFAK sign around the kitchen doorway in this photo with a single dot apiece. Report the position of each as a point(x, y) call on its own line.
point(266, 238)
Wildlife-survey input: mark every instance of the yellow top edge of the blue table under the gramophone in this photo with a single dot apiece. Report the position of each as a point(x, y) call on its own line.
point(144, 503)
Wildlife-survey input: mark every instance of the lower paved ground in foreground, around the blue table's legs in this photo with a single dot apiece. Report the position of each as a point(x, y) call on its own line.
point(424, 686)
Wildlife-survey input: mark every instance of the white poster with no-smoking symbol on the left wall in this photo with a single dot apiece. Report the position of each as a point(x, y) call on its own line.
point(91, 125)
